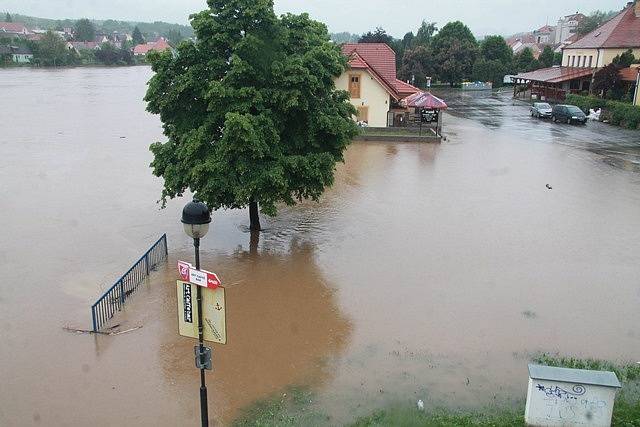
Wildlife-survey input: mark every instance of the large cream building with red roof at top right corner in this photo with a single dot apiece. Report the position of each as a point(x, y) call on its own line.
point(598, 48)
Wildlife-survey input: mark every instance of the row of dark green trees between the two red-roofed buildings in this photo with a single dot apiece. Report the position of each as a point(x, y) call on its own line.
point(452, 55)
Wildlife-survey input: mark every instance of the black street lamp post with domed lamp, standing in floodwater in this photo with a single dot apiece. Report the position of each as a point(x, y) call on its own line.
point(196, 219)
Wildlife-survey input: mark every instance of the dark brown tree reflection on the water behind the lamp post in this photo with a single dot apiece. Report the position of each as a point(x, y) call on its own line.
point(283, 328)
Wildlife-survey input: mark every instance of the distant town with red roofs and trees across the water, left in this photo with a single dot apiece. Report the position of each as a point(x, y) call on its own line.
point(83, 42)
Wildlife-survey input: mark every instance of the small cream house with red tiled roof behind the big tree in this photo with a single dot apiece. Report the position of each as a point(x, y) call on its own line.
point(371, 81)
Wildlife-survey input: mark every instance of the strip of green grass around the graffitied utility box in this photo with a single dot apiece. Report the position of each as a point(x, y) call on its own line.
point(295, 406)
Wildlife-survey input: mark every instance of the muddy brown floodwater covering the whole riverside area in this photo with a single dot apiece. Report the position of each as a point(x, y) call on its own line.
point(427, 272)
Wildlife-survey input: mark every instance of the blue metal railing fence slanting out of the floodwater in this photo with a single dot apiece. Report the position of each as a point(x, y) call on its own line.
point(105, 308)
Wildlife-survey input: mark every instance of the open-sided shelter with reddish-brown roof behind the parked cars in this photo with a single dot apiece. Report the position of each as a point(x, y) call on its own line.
point(554, 83)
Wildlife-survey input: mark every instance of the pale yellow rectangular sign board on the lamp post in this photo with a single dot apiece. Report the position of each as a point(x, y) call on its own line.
point(214, 312)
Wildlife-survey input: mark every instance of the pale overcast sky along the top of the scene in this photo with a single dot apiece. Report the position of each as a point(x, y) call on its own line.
point(484, 17)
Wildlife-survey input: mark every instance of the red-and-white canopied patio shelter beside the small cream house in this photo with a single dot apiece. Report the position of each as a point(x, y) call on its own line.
point(418, 110)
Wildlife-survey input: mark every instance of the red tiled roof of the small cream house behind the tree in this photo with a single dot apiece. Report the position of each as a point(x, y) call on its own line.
point(380, 60)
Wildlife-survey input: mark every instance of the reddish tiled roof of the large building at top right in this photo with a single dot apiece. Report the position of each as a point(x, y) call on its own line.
point(622, 31)
